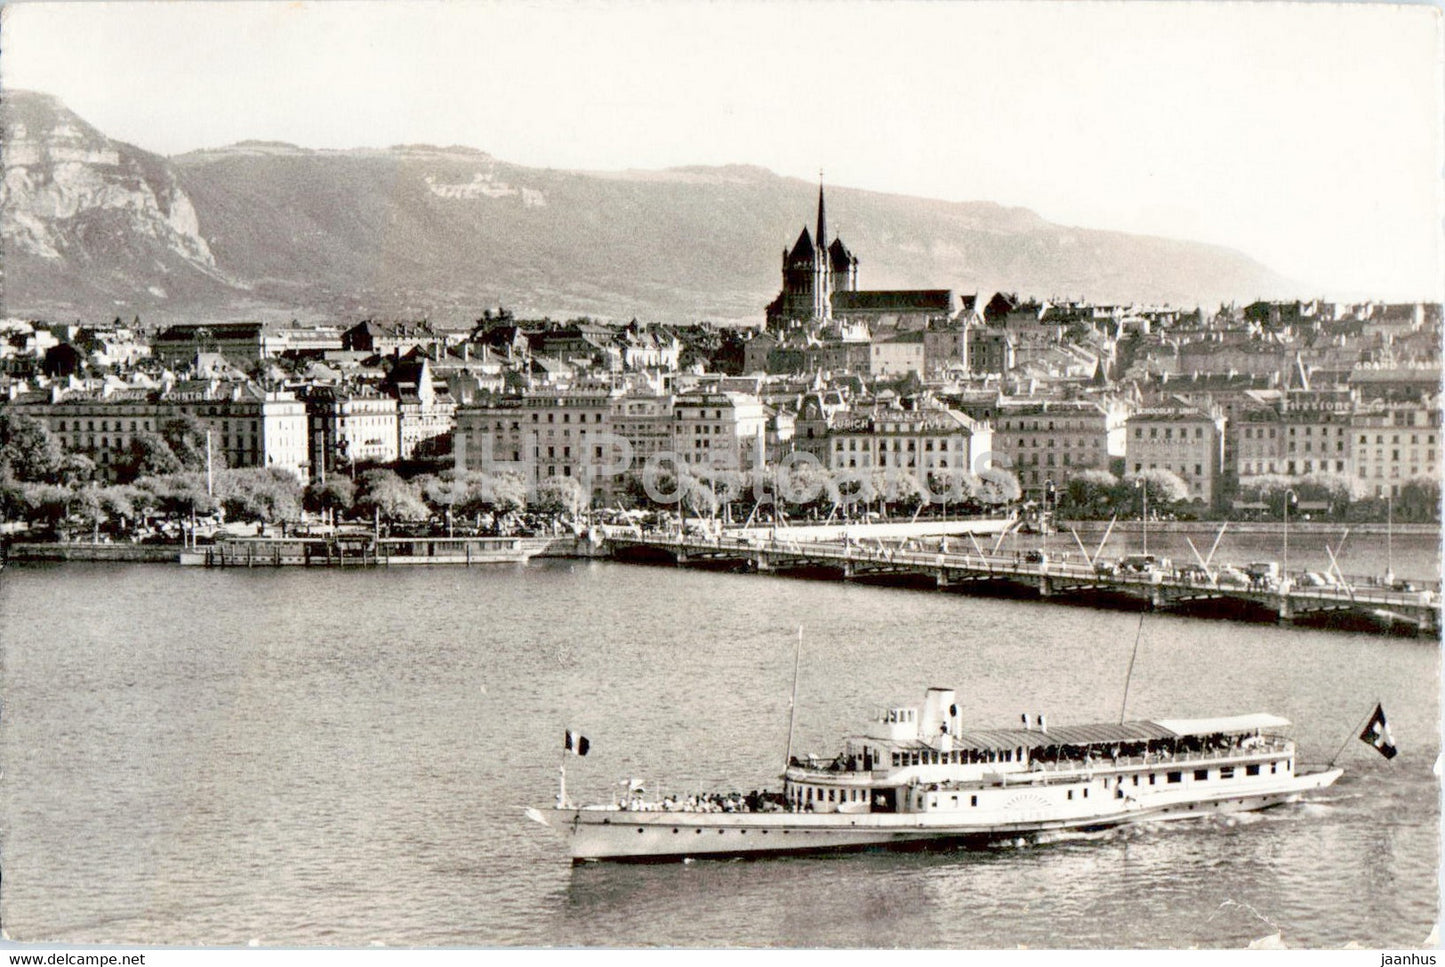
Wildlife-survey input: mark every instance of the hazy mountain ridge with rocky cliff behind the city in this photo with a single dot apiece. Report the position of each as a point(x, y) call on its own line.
point(274, 231)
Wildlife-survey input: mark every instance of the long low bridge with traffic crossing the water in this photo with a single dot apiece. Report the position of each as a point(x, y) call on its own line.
point(1047, 580)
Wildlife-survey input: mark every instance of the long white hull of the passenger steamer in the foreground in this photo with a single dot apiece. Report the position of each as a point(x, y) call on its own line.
point(661, 836)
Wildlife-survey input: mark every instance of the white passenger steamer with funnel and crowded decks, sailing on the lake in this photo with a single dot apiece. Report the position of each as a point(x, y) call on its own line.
point(920, 778)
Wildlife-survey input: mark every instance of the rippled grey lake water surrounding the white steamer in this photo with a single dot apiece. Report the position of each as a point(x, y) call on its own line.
point(304, 758)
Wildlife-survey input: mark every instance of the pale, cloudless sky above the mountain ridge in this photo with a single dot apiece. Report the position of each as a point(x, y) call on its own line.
point(1310, 137)
